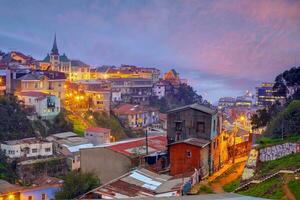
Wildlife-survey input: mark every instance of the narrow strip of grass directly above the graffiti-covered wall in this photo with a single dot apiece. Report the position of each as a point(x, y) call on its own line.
point(268, 141)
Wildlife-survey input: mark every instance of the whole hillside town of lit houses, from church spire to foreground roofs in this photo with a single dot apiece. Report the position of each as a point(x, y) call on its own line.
point(118, 129)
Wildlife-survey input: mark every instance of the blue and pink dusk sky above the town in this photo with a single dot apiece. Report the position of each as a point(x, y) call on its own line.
point(222, 47)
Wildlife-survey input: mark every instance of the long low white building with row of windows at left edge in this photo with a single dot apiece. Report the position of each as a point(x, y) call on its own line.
point(27, 148)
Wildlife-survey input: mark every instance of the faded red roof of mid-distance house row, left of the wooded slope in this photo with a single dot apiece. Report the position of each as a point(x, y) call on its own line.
point(127, 109)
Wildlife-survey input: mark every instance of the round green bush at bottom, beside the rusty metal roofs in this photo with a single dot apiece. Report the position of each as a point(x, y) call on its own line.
point(76, 184)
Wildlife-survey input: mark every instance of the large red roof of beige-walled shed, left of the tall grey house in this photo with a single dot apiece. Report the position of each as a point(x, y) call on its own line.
point(156, 143)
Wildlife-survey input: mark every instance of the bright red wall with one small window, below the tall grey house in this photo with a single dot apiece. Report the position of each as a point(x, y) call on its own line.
point(180, 162)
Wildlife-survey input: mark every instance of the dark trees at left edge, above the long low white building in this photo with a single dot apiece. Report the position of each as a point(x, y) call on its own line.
point(14, 123)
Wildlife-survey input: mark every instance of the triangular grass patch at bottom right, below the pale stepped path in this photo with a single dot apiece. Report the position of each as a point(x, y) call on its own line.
point(271, 189)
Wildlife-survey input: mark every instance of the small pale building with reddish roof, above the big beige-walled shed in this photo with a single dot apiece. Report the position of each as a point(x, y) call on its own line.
point(97, 135)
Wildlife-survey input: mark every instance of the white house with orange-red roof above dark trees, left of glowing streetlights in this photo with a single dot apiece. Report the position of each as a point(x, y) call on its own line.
point(45, 105)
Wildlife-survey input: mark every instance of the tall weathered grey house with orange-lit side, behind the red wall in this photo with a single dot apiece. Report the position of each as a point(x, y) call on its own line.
point(198, 122)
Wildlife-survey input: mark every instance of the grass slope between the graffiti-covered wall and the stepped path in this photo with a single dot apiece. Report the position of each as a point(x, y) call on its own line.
point(291, 162)
